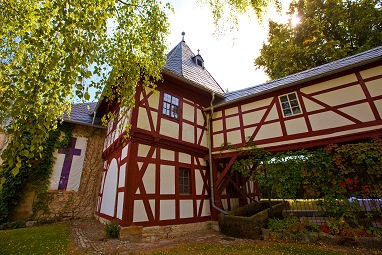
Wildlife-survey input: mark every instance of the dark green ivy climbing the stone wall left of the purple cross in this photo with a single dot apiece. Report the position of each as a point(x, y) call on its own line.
point(36, 174)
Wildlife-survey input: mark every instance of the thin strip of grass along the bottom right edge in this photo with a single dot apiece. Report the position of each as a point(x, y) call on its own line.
point(264, 249)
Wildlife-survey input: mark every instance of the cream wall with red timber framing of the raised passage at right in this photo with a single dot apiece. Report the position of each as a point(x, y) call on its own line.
point(336, 113)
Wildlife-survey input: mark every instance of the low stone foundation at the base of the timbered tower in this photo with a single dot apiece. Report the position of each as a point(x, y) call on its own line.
point(156, 233)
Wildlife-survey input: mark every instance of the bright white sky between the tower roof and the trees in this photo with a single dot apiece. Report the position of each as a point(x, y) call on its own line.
point(228, 57)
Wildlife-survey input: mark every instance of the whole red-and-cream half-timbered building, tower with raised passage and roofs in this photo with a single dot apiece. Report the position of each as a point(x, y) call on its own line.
point(186, 133)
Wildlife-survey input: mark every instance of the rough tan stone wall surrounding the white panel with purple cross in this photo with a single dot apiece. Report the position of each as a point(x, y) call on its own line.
point(73, 204)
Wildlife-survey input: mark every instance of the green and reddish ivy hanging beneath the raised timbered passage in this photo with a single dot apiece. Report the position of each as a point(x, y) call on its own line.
point(336, 171)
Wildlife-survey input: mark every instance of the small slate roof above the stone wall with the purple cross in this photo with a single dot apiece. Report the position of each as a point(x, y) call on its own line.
point(83, 114)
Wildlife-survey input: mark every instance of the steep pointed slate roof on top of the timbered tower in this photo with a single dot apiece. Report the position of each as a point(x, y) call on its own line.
point(180, 61)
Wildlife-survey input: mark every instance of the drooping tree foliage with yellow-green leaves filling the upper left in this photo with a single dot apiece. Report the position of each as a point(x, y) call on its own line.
point(51, 49)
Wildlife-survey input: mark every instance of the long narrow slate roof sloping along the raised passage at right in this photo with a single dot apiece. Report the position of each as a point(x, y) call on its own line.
point(304, 76)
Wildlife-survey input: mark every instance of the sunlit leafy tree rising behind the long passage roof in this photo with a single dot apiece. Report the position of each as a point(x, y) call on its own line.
point(328, 30)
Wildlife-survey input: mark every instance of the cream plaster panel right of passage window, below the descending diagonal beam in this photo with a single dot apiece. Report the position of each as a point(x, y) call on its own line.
point(327, 120)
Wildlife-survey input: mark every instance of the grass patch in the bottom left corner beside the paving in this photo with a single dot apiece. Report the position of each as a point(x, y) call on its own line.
point(49, 239)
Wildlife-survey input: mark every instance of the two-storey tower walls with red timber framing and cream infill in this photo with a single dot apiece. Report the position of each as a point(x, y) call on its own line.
point(150, 189)
